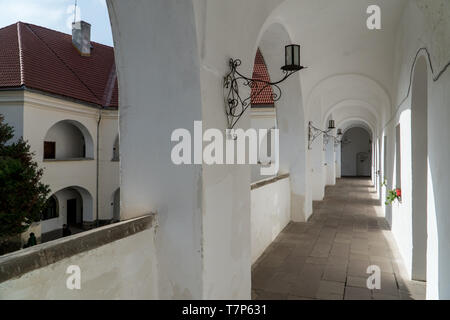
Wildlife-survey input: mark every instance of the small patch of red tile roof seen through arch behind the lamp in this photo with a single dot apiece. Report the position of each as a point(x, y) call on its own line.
point(260, 72)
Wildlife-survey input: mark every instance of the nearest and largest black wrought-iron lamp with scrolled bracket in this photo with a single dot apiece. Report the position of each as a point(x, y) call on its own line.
point(235, 105)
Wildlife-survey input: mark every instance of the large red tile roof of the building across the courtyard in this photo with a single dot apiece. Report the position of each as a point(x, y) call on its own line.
point(43, 59)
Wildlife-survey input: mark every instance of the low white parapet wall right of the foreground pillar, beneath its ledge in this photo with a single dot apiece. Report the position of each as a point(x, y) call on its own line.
point(270, 214)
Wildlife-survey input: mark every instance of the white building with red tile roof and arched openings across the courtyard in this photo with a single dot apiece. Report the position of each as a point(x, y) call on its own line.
point(63, 99)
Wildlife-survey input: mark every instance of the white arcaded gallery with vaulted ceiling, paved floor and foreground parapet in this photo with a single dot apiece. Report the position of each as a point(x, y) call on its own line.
point(214, 231)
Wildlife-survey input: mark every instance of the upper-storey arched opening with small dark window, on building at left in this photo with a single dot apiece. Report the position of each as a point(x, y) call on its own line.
point(68, 139)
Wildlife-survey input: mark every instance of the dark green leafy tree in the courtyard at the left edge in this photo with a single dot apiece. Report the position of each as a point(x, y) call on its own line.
point(22, 195)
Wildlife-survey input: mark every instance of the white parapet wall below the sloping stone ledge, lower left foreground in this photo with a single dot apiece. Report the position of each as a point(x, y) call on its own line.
point(125, 269)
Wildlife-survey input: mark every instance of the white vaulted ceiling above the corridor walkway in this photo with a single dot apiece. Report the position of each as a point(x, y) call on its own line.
point(346, 61)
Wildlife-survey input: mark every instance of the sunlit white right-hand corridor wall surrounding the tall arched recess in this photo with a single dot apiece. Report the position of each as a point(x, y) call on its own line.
point(426, 24)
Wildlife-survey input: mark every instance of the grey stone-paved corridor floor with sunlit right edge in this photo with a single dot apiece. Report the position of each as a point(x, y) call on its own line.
point(328, 256)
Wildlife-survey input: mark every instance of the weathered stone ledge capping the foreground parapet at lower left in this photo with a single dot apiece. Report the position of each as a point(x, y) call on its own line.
point(16, 264)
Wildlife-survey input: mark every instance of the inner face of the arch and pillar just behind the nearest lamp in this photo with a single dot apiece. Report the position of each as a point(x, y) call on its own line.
point(290, 118)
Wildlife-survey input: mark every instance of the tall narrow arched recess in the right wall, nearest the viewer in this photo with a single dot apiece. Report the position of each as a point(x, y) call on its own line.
point(419, 166)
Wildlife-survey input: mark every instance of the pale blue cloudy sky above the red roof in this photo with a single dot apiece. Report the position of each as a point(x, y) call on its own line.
point(58, 14)
